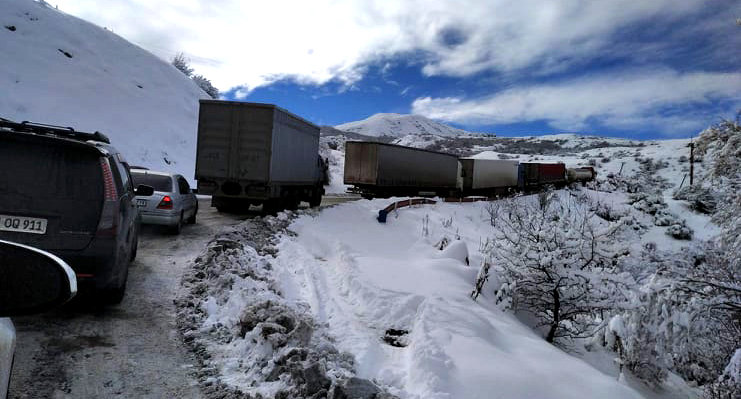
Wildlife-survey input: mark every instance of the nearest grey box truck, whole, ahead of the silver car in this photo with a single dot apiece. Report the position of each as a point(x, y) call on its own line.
point(257, 154)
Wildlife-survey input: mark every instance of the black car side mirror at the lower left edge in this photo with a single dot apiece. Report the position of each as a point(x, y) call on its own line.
point(33, 280)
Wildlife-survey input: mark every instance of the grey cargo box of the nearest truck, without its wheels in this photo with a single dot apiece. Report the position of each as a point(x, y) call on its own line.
point(258, 143)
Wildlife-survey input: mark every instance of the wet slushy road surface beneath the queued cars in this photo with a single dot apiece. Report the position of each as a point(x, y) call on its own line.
point(129, 350)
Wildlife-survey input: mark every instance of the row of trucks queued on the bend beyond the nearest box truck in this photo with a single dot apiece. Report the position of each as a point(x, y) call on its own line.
point(383, 170)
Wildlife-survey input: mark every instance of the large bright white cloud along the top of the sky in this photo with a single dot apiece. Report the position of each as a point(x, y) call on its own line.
point(249, 43)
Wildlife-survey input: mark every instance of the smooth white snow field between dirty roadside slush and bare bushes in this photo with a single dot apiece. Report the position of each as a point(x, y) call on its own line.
point(362, 278)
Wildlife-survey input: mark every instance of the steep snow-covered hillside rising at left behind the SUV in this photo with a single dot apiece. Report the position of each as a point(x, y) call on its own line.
point(58, 69)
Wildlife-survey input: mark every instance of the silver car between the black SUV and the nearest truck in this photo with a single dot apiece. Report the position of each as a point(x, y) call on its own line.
point(172, 203)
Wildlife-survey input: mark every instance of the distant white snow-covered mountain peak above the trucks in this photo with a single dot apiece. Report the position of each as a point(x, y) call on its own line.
point(398, 125)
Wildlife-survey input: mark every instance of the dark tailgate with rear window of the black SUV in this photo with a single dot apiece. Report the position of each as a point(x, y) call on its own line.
point(54, 180)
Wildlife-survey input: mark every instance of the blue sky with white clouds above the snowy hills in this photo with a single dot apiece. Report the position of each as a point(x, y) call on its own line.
point(628, 68)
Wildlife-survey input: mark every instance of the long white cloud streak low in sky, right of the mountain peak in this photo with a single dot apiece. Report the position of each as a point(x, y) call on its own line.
point(658, 98)
